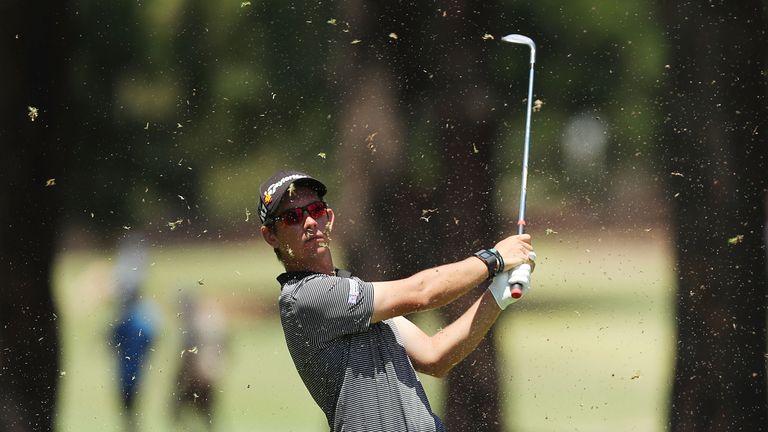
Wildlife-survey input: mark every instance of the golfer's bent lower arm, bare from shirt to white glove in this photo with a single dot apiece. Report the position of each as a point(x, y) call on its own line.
point(436, 355)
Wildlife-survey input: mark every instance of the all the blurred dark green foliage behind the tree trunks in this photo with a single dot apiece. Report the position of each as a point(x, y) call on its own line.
point(202, 100)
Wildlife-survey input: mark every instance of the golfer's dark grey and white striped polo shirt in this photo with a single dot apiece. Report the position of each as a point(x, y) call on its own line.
point(358, 373)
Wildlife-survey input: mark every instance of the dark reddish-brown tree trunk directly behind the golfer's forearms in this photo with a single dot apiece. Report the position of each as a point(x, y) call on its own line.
point(468, 128)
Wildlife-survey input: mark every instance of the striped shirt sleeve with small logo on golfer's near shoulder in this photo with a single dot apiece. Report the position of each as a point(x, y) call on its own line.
point(328, 307)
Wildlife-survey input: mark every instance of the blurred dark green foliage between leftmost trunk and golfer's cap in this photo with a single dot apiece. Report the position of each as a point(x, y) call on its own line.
point(177, 98)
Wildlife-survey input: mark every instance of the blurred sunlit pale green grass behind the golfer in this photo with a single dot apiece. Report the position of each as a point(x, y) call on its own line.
point(590, 348)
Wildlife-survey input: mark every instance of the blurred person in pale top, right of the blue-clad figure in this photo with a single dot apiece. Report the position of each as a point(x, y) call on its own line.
point(200, 369)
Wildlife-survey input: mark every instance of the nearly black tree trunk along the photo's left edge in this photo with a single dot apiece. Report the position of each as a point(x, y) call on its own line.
point(31, 52)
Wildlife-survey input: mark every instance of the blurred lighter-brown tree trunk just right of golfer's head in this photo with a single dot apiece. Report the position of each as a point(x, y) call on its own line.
point(380, 198)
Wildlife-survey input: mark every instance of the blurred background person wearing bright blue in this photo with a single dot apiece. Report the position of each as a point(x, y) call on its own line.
point(134, 332)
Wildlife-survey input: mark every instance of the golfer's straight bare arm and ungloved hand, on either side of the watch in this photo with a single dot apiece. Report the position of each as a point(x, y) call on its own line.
point(441, 285)
